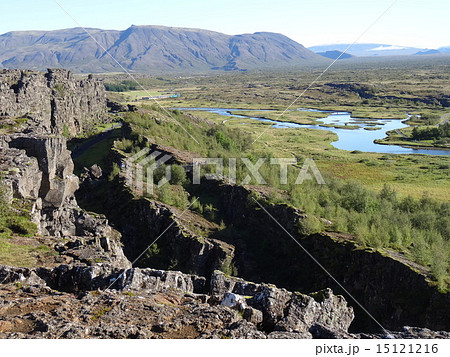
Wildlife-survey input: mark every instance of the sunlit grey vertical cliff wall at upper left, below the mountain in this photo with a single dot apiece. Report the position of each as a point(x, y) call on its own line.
point(54, 103)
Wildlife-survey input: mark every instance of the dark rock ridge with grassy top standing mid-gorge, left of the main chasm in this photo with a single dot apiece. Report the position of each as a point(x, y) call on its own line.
point(143, 221)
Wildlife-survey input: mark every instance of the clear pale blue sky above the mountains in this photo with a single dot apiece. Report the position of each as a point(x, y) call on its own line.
point(415, 23)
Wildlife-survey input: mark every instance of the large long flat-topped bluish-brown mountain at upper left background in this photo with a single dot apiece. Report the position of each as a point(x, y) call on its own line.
point(149, 48)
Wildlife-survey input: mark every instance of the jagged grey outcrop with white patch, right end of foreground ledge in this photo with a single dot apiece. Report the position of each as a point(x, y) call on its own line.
point(280, 310)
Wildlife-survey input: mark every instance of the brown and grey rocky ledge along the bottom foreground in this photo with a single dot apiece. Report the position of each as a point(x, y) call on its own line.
point(149, 303)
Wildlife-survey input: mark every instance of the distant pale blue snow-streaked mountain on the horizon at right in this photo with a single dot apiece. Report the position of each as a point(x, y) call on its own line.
point(368, 49)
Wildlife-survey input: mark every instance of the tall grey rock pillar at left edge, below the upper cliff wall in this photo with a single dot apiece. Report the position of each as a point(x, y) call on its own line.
point(44, 174)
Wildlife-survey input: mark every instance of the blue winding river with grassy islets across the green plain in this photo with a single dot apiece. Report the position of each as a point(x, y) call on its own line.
point(348, 139)
